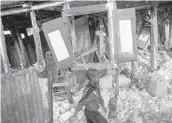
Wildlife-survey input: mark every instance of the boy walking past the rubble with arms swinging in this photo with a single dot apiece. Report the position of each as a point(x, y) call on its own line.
point(91, 99)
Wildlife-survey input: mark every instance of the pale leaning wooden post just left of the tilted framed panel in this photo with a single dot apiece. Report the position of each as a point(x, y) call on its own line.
point(36, 35)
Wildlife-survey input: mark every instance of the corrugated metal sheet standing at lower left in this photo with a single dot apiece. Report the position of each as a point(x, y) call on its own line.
point(22, 98)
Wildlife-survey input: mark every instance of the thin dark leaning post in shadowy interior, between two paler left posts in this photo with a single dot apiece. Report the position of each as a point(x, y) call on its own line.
point(23, 60)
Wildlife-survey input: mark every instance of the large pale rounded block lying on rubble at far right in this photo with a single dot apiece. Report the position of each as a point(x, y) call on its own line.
point(156, 86)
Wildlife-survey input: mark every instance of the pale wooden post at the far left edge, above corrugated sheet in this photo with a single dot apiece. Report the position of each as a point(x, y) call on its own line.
point(3, 50)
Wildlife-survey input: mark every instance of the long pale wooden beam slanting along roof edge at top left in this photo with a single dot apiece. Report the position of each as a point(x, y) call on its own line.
point(34, 7)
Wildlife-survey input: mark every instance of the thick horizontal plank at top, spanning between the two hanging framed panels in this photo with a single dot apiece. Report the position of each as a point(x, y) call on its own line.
point(86, 9)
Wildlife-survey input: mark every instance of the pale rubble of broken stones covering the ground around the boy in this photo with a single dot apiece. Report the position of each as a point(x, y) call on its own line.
point(134, 105)
